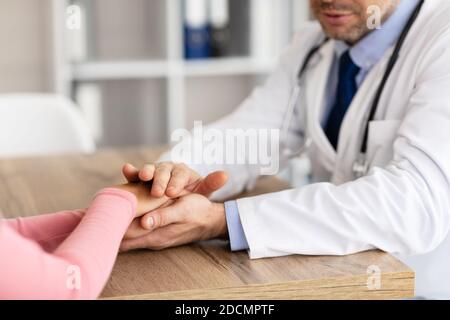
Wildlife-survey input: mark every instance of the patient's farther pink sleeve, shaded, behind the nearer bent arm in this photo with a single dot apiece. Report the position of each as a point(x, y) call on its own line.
point(48, 230)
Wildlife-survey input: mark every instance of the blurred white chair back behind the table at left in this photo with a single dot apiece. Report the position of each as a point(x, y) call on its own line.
point(41, 124)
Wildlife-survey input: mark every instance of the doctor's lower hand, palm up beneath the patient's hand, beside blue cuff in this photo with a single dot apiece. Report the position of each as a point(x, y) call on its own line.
point(188, 219)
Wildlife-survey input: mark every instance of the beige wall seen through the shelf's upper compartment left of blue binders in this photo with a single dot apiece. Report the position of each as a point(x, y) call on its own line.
point(116, 20)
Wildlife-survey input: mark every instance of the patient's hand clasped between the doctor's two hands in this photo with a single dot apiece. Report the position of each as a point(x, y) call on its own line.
point(145, 202)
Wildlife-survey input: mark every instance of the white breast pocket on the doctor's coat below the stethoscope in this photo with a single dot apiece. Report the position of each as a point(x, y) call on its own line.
point(382, 135)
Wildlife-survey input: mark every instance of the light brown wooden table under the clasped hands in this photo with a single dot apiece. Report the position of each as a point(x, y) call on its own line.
point(206, 270)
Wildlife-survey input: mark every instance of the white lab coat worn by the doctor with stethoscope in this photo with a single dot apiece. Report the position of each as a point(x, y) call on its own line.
point(403, 205)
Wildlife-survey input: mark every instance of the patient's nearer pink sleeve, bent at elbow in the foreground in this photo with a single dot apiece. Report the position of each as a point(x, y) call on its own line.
point(80, 266)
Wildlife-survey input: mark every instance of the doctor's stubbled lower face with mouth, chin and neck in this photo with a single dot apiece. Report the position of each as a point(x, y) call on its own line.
point(347, 20)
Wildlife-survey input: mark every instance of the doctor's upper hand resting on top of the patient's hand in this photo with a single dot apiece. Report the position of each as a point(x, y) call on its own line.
point(174, 180)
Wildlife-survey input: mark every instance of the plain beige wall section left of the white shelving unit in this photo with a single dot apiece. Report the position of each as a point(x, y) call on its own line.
point(25, 42)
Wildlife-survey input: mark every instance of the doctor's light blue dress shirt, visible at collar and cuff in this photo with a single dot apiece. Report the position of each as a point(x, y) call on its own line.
point(365, 54)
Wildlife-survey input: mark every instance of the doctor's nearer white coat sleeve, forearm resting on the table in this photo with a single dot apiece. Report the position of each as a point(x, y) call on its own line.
point(387, 210)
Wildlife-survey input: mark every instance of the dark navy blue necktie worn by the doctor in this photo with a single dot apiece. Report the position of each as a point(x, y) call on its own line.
point(346, 90)
